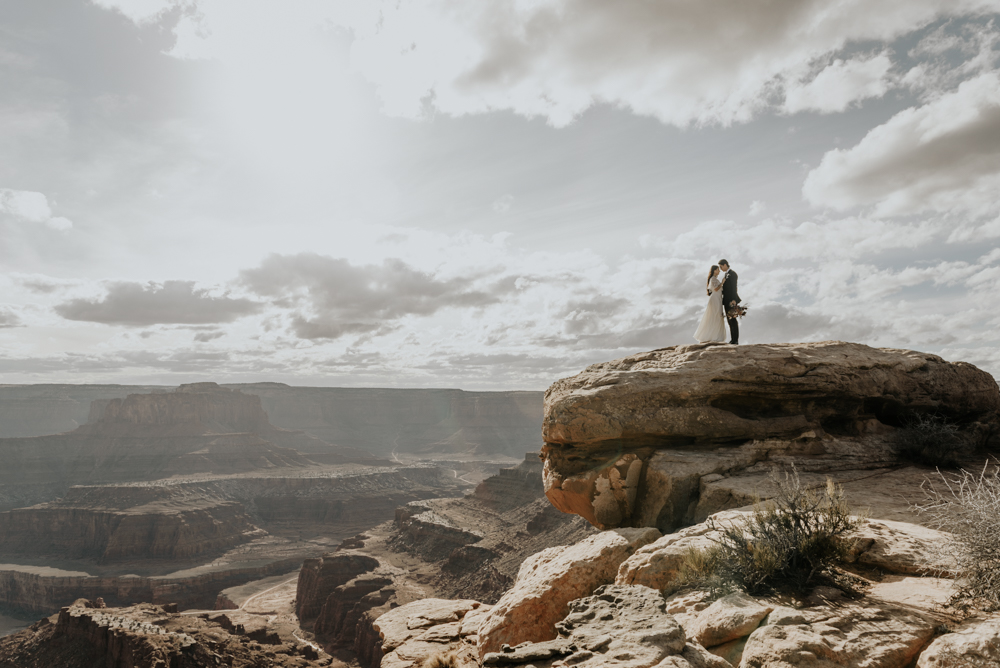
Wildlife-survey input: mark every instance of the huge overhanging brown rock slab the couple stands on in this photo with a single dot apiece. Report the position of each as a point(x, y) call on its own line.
point(636, 441)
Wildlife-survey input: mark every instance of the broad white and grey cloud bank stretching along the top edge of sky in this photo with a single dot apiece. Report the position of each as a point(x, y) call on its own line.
point(682, 62)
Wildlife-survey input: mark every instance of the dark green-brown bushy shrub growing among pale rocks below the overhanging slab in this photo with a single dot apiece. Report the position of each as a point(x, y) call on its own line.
point(785, 543)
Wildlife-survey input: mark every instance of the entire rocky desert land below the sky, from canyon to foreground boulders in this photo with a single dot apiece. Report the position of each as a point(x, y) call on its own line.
point(271, 525)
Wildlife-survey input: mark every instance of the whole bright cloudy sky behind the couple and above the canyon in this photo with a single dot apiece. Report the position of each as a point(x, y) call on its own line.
point(487, 195)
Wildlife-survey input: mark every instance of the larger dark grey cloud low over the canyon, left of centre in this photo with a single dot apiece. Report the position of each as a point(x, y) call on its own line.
point(330, 297)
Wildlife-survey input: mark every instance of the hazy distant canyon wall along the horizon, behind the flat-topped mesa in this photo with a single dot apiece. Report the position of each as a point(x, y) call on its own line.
point(373, 420)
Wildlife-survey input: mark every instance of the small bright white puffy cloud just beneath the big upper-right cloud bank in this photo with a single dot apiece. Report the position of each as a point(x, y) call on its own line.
point(841, 84)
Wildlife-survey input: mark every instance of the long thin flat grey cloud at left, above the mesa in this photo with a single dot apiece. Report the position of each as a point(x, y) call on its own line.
point(171, 302)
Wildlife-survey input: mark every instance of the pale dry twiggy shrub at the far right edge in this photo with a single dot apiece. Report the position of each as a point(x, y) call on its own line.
point(968, 506)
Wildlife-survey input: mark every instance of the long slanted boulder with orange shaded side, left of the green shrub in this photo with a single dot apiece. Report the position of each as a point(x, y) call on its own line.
point(549, 580)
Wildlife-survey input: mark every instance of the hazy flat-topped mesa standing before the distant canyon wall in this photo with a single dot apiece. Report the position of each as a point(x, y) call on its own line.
point(200, 428)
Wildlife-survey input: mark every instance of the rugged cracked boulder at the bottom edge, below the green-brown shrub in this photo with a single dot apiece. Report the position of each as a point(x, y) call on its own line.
point(849, 635)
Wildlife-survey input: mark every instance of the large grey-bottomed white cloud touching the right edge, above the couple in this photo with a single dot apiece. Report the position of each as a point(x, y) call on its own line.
point(942, 156)
